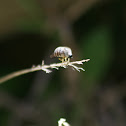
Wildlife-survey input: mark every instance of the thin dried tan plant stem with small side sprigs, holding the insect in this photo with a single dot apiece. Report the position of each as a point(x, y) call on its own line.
point(44, 68)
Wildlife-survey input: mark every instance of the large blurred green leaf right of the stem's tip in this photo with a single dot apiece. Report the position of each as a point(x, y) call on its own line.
point(97, 46)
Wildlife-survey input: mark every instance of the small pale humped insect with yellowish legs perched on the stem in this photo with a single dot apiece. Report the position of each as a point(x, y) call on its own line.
point(64, 53)
